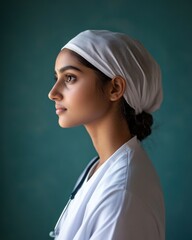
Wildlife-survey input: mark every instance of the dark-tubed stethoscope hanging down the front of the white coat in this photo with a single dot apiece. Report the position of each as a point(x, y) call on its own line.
point(55, 232)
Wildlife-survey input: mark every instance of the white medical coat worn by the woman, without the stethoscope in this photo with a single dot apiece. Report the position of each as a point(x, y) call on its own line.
point(123, 200)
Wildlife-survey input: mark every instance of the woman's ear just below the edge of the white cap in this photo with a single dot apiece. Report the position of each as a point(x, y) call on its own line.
point(117, 88)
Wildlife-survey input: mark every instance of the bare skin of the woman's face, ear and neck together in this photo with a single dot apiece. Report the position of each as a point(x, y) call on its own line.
point(79, 101)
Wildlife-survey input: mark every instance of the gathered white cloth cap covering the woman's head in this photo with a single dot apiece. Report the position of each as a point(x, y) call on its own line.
point(116, 54)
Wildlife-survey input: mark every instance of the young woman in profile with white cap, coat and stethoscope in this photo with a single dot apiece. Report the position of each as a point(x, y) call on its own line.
point(109, 83)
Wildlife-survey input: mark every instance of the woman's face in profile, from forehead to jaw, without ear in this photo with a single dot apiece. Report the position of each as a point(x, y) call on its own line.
point(78, 99)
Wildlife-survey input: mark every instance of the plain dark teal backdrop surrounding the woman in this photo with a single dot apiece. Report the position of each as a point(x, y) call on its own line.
point(40, 162)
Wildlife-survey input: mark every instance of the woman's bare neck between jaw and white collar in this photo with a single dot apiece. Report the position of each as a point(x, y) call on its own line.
point(108, 135)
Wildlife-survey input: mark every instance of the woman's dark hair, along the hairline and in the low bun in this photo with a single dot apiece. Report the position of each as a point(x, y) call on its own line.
point(139, 124)
